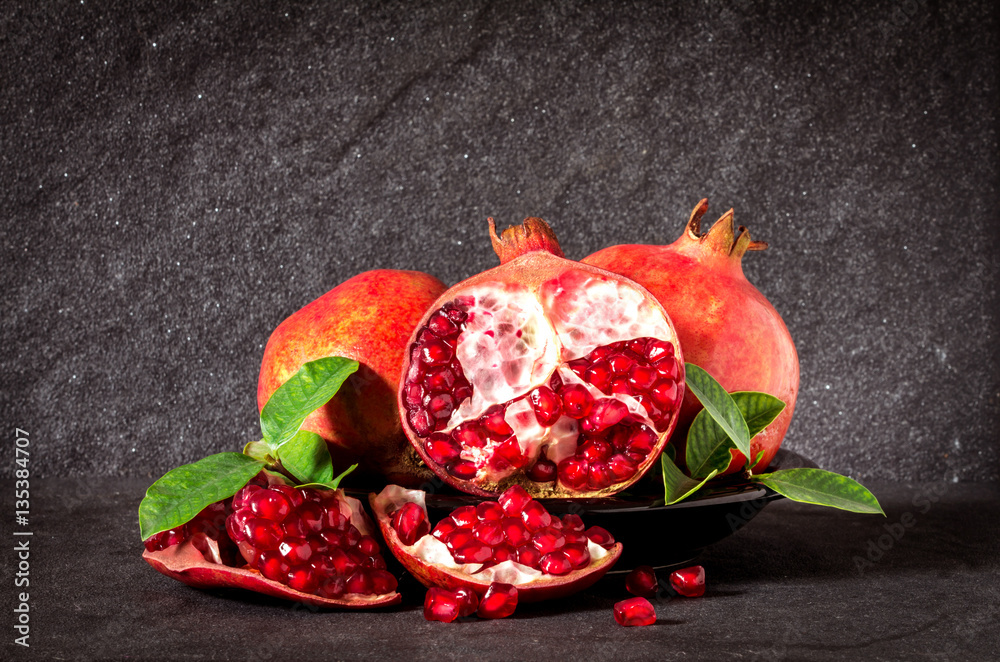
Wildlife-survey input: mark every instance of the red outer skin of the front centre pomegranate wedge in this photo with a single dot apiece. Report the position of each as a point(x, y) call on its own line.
point(430, 575)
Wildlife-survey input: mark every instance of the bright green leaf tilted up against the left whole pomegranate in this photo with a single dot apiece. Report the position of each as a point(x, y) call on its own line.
point(306, 391)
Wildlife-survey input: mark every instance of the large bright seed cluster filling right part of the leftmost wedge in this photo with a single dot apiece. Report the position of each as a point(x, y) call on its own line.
point(300, 537)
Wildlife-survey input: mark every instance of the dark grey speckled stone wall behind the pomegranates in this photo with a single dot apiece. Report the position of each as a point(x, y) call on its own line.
point(176, 178)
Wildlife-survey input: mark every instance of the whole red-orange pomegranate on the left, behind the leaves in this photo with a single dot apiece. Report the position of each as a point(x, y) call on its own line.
point(368, 318)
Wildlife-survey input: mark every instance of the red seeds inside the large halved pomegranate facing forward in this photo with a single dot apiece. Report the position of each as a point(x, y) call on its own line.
point(610, 442)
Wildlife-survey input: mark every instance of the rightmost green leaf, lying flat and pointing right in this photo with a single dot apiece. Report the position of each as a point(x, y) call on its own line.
point(823, 488)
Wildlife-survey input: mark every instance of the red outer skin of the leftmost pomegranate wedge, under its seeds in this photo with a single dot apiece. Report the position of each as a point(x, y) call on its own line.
point(186, 564)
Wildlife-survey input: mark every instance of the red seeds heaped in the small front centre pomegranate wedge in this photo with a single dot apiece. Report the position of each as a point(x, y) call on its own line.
point(515, 528)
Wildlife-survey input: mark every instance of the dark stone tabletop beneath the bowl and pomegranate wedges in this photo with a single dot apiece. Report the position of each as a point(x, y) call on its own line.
point(799, 582)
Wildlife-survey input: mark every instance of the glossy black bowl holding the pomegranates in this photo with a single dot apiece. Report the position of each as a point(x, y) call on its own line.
point(652, 533)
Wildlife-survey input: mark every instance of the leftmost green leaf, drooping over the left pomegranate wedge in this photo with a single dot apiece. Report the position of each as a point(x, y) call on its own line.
point(185, 491)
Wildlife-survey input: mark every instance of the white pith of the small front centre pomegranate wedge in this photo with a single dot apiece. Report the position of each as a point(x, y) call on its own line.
point(430, 549)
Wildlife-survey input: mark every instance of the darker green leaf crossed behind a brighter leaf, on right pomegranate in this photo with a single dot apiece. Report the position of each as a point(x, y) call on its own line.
point(708, 445)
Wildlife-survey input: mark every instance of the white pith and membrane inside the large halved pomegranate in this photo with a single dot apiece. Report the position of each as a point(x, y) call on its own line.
point(515, 340)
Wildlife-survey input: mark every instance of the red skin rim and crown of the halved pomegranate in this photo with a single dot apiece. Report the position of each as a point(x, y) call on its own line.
point(530, 255)
